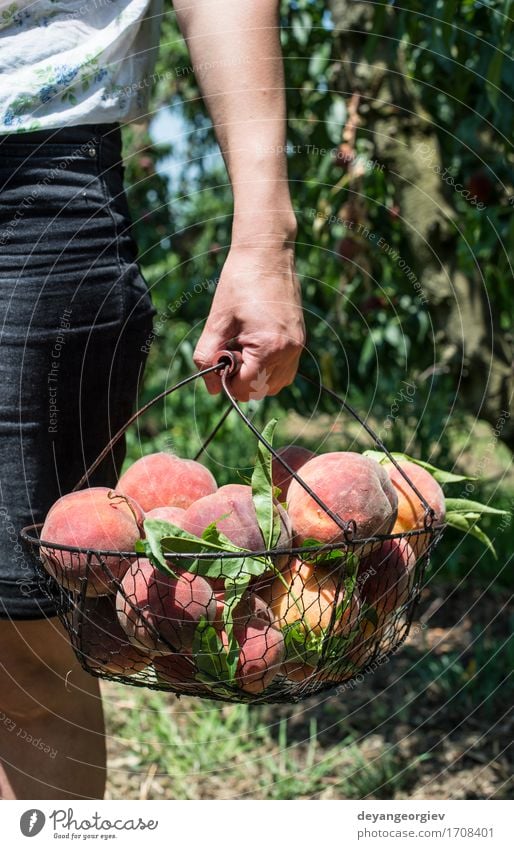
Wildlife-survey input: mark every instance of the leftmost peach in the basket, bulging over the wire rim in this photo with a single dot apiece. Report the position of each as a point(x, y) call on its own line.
point(94, 518)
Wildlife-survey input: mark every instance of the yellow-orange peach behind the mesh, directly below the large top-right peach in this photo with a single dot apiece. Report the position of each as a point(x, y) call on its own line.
point(309, 597)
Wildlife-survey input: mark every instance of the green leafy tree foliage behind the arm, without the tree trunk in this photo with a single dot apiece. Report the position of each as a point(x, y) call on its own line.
point(367, 330)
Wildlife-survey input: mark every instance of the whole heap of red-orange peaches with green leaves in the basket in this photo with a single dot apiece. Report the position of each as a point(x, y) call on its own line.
point(239, 587)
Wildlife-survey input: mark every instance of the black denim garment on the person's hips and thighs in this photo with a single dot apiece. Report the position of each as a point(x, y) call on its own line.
point(75, 316)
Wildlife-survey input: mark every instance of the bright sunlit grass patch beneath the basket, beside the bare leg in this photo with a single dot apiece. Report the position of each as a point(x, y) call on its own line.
point(235, 752)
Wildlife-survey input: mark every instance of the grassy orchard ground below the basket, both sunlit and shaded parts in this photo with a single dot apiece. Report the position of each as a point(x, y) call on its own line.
point(423, 720)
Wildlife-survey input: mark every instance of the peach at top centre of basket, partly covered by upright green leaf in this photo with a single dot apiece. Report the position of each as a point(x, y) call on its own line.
point(233, 511)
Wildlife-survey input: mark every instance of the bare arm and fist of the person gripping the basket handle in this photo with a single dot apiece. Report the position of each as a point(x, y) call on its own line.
point(235, 49)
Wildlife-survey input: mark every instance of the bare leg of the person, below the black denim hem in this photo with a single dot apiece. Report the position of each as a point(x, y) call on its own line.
point(52, 743)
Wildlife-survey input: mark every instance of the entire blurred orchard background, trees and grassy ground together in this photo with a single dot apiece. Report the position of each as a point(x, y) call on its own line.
point(402, 177)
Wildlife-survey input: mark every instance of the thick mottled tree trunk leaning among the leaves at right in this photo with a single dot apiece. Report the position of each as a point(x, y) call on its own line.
point(468, 339)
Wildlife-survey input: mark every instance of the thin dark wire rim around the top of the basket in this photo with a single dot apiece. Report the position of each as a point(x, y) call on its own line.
point(27, 534)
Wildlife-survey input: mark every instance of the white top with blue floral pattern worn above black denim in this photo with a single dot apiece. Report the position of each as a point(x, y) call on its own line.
point(68, 62)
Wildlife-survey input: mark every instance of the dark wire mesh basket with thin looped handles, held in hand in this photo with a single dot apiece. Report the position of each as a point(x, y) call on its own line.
point(303, 623)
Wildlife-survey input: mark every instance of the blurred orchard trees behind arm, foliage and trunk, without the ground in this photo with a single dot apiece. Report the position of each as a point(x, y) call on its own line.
point(406, 275)
